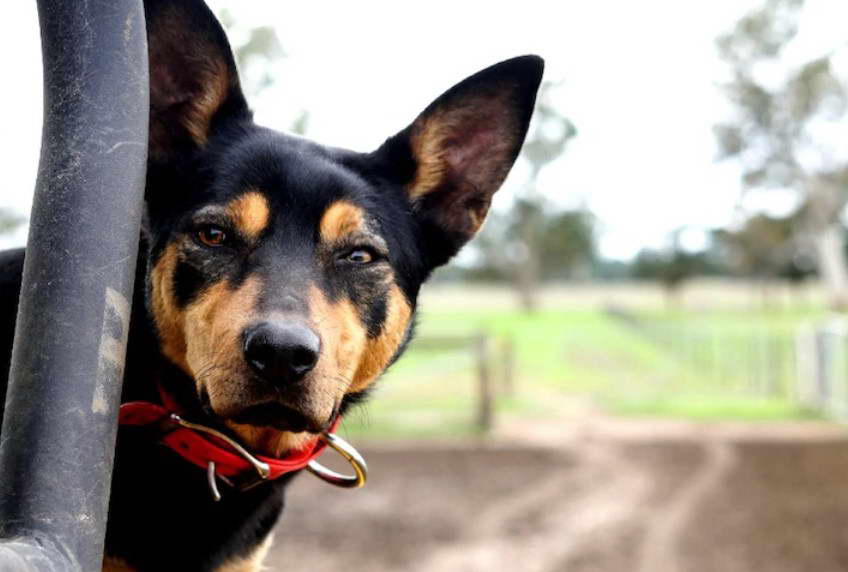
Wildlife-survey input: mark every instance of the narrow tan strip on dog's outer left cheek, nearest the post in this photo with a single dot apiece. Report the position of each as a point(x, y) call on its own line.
point(168, 317)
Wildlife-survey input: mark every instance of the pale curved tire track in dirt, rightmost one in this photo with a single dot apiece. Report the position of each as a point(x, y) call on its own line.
point(660, 547)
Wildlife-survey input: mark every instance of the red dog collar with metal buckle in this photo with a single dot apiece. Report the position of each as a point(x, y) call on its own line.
point(220, 455)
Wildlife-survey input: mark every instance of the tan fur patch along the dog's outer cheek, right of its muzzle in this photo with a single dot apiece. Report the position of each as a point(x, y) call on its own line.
point(380, 350)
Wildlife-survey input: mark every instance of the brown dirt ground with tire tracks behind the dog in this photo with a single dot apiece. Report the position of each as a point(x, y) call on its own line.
point(598, 496)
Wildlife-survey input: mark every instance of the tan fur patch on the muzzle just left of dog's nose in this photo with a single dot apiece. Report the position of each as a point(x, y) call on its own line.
point(213, 326)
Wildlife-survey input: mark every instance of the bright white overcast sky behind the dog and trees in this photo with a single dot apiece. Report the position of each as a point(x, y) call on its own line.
point(639, 82)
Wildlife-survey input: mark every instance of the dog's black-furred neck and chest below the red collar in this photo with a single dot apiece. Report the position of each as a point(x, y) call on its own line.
point(159, 493)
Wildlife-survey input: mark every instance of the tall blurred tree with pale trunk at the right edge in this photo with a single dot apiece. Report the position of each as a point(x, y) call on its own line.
point(779, 108)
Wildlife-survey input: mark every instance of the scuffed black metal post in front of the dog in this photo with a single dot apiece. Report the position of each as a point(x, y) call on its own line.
point(61, 406)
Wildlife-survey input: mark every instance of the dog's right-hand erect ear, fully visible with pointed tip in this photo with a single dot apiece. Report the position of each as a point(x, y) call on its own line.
point(457, 153)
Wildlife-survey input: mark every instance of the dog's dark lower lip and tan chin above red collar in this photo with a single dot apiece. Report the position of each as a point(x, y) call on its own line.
point(273, 429)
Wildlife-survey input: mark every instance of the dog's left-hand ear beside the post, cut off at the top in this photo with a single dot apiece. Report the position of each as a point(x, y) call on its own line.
point(194, 84)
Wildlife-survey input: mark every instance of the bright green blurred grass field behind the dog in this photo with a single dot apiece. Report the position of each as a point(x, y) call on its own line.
point(718, 364)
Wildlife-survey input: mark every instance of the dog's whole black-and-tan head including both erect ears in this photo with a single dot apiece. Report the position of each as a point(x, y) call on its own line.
point(284, 274)
